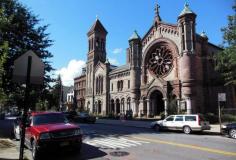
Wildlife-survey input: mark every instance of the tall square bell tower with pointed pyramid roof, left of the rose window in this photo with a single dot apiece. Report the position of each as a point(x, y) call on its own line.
point(96, 52)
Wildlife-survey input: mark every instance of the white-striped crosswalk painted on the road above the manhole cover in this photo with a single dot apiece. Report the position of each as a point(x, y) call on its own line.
point(114, 143)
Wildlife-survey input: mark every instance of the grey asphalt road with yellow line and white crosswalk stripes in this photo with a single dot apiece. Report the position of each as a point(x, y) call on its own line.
point(105, 142)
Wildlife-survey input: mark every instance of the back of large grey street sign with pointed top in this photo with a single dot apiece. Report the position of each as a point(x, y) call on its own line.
point(20, 69)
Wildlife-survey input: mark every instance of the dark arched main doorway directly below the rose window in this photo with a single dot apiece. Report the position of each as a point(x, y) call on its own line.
point(156, 103)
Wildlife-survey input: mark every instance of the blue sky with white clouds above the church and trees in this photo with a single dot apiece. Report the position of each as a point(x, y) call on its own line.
point(70, 20)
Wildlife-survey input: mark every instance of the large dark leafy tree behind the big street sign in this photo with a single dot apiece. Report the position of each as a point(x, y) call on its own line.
point(22, 31)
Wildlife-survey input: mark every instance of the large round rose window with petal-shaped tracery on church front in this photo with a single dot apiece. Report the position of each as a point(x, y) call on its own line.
point(160, 61)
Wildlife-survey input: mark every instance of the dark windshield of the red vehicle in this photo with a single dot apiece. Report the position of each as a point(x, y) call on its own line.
point(49, 119)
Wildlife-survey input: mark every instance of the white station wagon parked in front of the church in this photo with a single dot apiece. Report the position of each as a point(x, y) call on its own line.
point(186, 123)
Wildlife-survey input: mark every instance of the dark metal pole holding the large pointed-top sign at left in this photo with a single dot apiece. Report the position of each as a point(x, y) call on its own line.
point(27, 90)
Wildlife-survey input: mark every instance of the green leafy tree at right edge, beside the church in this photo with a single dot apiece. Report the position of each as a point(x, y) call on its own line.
point(226, 60)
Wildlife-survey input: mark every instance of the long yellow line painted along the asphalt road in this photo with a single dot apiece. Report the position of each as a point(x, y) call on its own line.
point(188, 146)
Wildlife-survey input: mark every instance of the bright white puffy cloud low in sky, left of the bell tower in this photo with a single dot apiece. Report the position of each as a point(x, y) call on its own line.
point(73, 69)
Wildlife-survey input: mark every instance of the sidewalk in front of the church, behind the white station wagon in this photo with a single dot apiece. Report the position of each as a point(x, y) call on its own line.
point(215, 129)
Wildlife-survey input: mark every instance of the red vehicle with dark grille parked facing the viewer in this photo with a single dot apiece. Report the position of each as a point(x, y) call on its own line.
point(51, 130)
